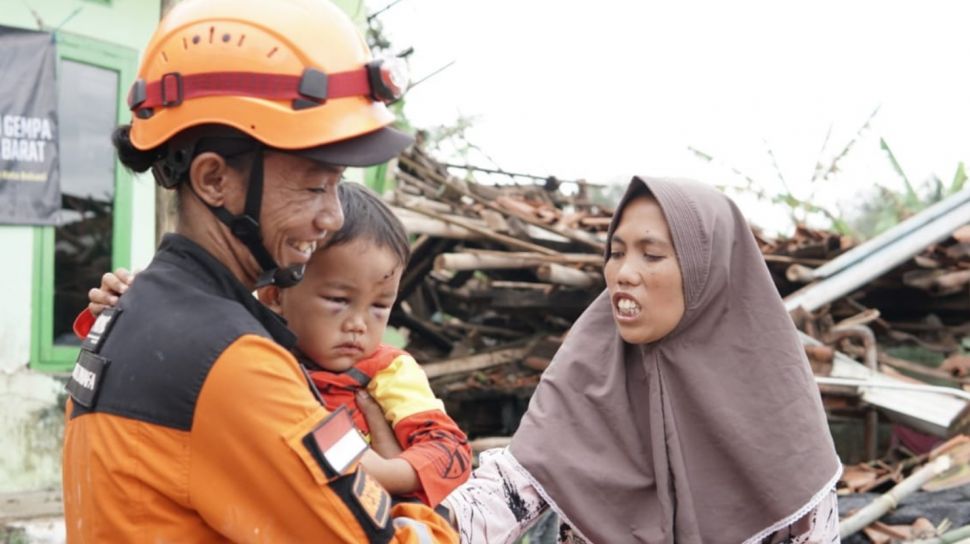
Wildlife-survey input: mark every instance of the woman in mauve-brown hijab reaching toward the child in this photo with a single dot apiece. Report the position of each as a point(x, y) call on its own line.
point(680, 408)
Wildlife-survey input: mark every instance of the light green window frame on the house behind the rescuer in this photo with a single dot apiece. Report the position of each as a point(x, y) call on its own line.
point(44, 354)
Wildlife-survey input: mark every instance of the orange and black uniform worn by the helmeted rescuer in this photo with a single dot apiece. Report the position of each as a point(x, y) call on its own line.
point(200, 425)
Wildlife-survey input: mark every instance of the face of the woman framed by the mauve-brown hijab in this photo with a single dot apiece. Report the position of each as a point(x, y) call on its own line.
point(642, 274)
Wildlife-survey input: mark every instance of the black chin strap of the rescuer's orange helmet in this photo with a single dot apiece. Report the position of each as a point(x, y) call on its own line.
point(245, 227)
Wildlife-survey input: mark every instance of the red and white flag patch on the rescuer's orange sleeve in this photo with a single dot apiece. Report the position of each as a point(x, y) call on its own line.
point(336, 444)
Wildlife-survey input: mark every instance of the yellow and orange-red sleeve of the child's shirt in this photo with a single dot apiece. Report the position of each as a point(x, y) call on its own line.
point(433, 444)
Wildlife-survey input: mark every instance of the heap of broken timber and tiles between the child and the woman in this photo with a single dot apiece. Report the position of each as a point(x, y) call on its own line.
point(497, 276)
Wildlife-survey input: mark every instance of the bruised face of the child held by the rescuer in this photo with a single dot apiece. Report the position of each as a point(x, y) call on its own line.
point(340, 309)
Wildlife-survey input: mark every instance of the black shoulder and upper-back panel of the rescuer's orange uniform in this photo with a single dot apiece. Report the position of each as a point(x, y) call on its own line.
point(177, 321)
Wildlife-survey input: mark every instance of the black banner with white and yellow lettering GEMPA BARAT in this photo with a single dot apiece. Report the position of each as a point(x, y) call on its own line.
point(30, 188)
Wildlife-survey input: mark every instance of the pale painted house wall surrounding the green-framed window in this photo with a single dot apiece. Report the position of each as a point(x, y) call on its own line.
point(32, 401)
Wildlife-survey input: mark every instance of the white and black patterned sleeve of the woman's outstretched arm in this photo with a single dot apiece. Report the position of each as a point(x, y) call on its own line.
point(499, 503)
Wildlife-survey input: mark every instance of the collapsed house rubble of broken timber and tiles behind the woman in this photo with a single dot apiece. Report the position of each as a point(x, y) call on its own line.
point(499, 273)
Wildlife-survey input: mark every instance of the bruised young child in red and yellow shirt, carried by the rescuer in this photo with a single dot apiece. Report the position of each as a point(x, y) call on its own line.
point(339, 313)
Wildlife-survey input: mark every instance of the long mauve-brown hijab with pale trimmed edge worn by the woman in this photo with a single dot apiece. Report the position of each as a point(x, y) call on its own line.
point(713, 434)
